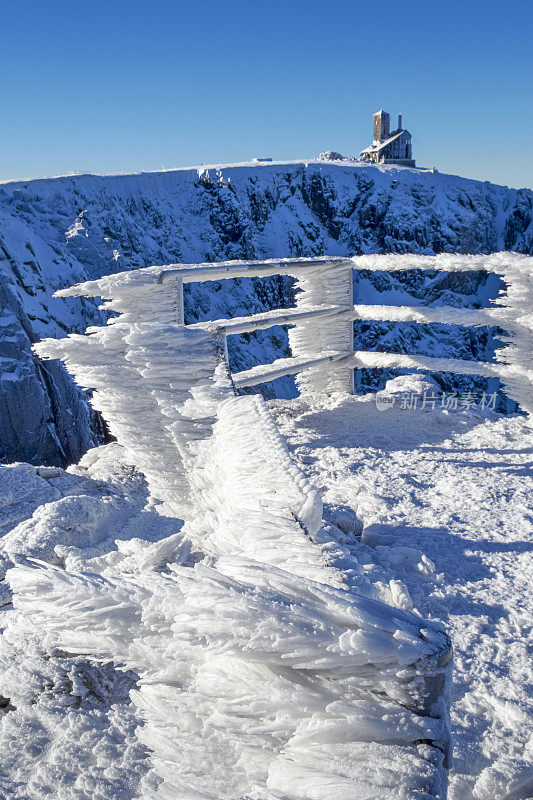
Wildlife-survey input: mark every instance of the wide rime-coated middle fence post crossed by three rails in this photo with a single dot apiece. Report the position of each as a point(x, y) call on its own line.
point(330, 285)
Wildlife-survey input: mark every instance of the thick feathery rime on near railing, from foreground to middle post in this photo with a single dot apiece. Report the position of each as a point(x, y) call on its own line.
point(268, 664)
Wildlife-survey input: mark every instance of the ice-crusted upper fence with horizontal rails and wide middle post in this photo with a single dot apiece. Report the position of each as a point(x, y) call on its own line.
point(321, 324)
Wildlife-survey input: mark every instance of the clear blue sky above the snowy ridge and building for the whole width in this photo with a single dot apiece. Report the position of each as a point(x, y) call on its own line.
point(125, 86)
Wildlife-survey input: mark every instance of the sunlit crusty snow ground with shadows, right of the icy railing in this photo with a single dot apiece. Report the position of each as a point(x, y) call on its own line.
point(455, 489)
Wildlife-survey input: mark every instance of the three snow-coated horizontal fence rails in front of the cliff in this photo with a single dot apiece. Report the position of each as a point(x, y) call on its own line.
point(317, 327)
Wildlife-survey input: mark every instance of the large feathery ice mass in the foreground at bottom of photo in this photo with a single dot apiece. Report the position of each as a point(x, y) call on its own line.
point(265, 684)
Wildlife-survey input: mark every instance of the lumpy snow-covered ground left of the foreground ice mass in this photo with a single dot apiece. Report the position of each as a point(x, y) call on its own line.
point(69, 730)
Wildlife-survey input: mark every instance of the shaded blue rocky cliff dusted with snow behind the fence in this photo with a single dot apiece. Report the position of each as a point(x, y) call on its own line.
point(60, 231)
